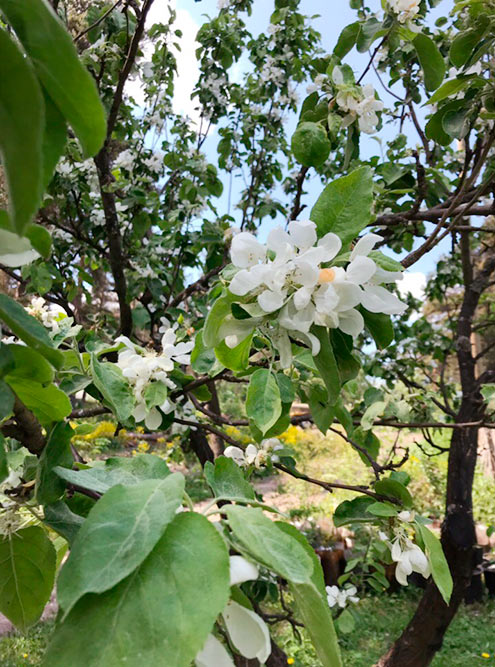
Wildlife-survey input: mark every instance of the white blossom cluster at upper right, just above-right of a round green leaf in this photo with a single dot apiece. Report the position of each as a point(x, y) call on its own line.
point(359, 102)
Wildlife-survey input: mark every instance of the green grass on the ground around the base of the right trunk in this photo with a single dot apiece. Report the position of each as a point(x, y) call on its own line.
point(381, 620)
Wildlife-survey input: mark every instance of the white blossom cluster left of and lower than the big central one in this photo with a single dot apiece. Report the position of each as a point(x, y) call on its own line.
point(142, 367)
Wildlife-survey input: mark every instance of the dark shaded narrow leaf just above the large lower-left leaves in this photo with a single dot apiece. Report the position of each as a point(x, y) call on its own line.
point(49, 486)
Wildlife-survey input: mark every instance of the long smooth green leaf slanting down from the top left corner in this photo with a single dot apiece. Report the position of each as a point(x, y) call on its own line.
point(55, 59)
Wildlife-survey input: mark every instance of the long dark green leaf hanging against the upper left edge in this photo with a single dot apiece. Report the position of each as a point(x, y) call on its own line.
point(21, 131)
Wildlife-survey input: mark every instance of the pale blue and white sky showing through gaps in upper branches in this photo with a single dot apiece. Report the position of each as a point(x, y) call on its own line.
point(333, 16)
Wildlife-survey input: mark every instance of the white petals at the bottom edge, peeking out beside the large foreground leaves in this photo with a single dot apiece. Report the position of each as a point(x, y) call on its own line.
point(247, 631)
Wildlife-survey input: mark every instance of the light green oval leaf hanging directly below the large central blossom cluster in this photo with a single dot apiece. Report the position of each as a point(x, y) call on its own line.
point(263, 404)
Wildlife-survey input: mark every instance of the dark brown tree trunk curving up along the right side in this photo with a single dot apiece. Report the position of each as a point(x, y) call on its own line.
point(424, 634)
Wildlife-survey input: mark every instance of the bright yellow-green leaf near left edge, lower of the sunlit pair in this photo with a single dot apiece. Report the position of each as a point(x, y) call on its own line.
point(48, 403)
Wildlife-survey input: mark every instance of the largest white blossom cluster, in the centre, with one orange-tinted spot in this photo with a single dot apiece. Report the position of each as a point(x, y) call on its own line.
point(290, 276)
